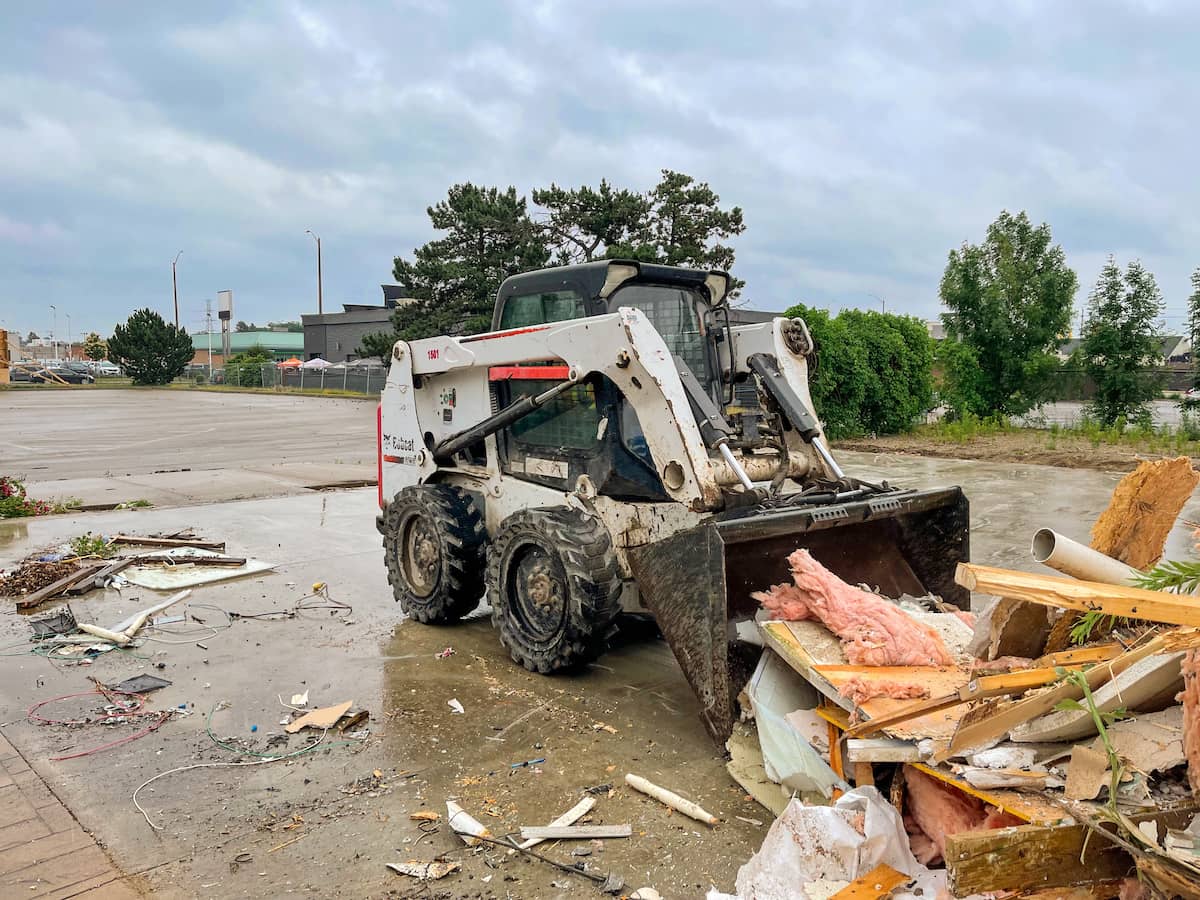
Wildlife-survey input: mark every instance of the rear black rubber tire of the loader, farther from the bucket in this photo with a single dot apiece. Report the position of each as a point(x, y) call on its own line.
point(453, 533)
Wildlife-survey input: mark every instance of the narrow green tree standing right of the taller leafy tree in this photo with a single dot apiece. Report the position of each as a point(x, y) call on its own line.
point(1121, 343)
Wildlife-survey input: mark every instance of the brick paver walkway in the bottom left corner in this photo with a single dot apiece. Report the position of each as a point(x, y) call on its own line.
point(44, 850)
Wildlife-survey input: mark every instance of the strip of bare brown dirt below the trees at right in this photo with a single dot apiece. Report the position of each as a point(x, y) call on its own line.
point(1027, 447)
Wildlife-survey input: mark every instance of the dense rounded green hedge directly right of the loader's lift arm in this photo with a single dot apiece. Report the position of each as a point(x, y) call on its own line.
point(872, 371)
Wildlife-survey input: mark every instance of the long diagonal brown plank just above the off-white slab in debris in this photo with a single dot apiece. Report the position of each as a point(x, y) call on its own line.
point(979, 734)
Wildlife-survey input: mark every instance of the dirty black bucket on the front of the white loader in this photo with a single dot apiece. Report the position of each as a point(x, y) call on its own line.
point(698, 584)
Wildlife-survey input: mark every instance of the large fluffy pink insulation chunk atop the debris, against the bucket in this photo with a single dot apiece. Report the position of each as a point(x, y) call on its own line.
point(874, 632)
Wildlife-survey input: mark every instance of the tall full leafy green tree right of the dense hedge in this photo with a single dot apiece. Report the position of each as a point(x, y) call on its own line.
point(1010, 303)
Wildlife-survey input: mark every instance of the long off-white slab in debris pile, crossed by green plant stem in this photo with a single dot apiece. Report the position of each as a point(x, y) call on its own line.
point(1149, 685)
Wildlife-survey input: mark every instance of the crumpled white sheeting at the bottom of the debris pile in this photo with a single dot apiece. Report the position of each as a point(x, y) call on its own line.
point(814, 844)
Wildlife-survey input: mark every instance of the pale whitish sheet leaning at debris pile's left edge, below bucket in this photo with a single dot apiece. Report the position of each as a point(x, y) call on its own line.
point(776, 691)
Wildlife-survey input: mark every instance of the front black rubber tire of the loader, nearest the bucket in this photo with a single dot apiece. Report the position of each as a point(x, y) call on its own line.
point(572, 553)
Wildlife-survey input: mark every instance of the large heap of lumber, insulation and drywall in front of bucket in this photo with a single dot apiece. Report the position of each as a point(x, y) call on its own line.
point(1000, 758)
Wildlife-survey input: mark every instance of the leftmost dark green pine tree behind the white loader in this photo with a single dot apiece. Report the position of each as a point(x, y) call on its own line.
point(489, 237)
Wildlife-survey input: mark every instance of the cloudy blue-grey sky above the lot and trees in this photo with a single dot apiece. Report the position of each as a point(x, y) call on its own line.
point(862, 140)
